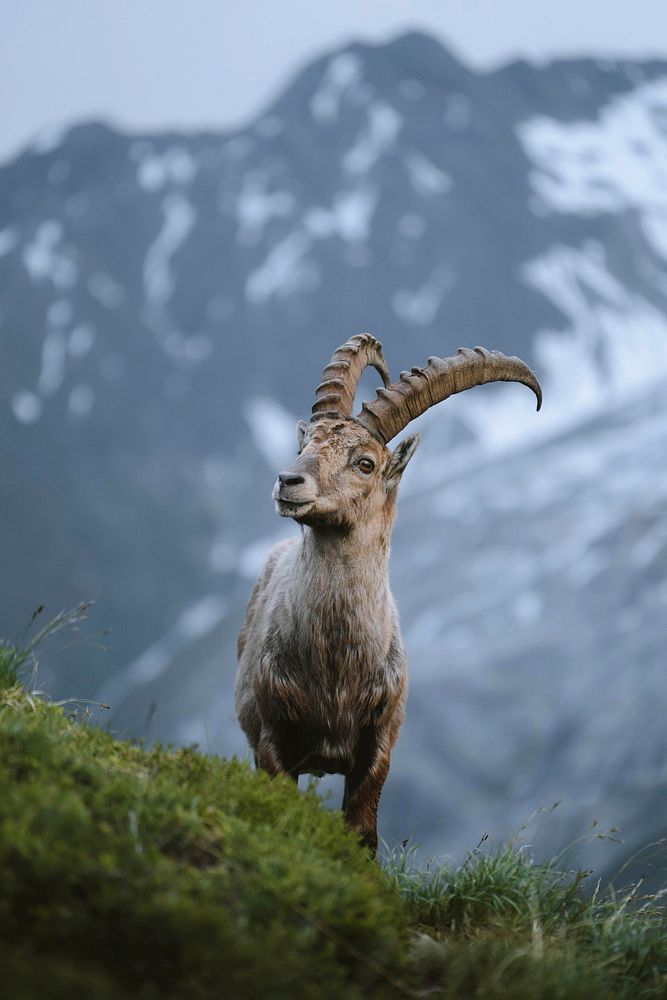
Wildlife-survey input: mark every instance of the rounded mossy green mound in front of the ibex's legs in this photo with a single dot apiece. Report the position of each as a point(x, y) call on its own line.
point(161, 872)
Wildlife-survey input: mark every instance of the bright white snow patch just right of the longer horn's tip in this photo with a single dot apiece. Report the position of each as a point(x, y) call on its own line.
point(618, 338)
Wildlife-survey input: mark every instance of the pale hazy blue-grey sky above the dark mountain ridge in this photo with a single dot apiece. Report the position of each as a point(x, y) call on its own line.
point(149, 64)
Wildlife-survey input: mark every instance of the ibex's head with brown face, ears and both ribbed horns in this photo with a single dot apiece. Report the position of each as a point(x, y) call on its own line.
point(344, 473)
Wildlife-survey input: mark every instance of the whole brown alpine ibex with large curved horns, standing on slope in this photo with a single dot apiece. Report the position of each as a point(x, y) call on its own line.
point(322, 676)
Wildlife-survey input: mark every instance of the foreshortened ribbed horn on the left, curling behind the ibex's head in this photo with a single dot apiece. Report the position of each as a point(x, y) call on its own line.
point(334, 396)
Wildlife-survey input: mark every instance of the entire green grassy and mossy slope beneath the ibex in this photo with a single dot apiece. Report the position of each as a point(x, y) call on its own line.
point(131, 872)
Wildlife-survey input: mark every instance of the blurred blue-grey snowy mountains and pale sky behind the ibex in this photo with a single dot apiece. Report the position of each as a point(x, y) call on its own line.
point(198, 203)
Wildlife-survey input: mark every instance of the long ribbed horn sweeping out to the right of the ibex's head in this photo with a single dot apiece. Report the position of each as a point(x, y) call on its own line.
point(417, 390)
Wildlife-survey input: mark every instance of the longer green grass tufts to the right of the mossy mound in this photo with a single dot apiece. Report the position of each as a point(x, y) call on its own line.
point(503, 926)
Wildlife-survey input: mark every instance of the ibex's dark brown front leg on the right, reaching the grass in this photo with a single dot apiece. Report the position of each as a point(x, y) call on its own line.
point(363, 787)
